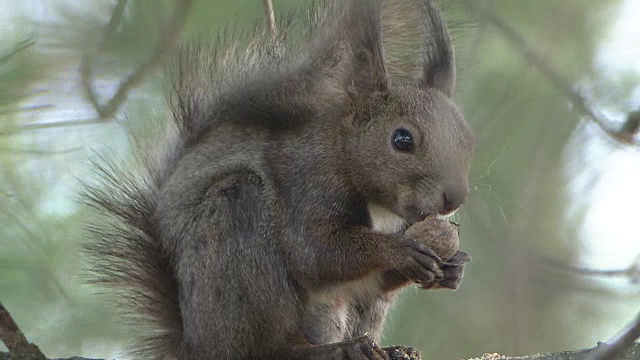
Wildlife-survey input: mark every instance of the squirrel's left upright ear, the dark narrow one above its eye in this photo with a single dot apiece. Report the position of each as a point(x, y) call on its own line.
point(365, 72)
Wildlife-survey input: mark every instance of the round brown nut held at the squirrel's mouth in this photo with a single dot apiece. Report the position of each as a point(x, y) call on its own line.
point(440, 235)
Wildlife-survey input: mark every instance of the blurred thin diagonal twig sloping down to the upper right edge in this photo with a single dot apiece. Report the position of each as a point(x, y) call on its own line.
point(535, 58)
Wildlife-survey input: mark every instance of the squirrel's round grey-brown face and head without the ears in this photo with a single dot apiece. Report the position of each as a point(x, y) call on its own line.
point(412, 149)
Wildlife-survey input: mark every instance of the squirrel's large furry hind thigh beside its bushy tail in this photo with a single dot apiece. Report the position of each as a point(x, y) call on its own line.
point(235, 299)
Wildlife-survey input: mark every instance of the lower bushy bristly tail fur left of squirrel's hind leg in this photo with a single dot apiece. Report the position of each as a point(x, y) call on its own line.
point(124, 253)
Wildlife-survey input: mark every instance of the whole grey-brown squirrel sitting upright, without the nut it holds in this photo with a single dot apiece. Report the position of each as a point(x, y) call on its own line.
point(271, 225)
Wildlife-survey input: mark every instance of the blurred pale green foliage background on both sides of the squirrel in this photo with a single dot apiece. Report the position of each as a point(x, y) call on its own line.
point(509, 302)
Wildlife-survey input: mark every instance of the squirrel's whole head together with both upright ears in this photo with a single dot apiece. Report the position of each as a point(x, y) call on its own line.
point(408, 146)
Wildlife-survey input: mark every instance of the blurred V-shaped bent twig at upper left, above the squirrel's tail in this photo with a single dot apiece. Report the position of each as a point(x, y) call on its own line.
point(168, 38)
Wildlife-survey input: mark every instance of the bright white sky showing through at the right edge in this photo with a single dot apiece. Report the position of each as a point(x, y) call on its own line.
point(606, 188)
